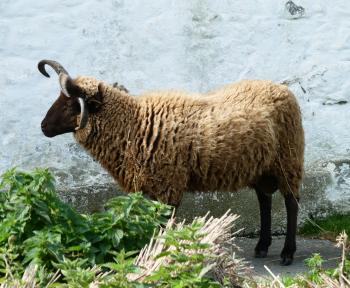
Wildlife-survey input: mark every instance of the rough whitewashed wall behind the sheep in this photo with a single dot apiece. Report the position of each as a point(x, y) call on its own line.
point(193, 45)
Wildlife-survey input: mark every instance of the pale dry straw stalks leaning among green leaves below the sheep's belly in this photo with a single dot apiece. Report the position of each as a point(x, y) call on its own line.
point(217, 234)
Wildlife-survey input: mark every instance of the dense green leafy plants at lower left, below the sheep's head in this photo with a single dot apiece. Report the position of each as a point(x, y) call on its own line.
point(36, 227)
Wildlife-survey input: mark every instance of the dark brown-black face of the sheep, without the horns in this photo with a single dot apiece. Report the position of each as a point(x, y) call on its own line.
point(61, 117)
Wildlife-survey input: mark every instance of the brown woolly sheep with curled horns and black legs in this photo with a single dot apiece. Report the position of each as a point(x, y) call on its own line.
point(165, 143)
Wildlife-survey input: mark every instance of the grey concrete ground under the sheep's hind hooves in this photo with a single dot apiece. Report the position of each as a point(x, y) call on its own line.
point(305, 248)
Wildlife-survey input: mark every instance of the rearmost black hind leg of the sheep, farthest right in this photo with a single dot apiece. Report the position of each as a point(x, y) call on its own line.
point(289, 245)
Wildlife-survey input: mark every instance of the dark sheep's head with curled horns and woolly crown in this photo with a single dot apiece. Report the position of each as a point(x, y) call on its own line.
point(78, 98)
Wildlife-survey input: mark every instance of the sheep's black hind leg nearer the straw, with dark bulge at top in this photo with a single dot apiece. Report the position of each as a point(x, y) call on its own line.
point(264, 188)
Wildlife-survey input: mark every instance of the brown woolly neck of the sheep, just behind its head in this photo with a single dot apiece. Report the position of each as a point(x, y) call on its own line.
point(109, 133)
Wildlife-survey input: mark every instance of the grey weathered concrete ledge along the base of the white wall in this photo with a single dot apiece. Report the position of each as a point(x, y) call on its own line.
point(314, 202)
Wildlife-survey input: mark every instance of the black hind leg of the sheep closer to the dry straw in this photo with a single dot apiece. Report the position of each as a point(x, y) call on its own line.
point(265, 224)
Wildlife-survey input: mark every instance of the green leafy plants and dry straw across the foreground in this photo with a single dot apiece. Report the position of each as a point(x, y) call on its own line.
point(133, 243)
